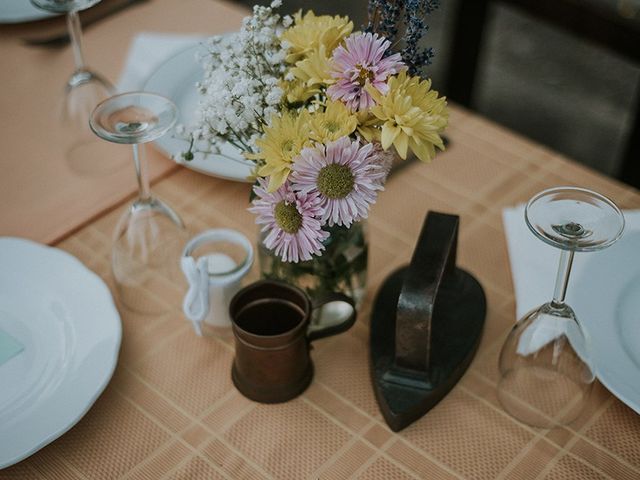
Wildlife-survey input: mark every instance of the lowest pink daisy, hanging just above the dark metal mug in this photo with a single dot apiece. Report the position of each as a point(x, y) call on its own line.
point(292, 220)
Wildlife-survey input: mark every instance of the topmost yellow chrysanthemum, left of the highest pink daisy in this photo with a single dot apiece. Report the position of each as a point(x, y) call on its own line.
point(311, 31)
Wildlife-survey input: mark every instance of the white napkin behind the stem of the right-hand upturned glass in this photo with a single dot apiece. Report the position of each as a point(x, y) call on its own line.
point(534, 264)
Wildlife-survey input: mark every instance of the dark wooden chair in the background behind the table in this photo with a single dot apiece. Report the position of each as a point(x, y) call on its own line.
point(594, 20)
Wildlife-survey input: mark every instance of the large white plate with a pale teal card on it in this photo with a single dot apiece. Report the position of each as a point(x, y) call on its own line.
point(64, 316)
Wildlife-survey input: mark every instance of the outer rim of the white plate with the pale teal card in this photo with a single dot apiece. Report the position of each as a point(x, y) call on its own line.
point(64, 426)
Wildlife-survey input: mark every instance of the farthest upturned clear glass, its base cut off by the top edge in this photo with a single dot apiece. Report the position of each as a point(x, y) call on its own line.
point(83, 91)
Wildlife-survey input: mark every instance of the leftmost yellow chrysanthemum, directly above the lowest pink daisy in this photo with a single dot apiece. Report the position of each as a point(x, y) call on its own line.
point(281, 143)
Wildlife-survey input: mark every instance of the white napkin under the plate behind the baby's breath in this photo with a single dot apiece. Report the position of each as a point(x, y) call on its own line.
point(147, 52)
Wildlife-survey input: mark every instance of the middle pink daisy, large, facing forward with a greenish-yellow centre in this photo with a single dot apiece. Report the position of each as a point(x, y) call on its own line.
point(345, 177)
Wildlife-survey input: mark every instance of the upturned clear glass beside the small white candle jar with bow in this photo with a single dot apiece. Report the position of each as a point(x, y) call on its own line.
point(149, 237)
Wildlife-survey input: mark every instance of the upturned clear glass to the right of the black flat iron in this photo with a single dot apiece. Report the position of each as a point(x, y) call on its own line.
point(546, 373)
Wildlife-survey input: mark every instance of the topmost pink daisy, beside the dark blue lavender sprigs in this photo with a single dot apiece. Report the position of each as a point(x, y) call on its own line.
point(360, 62)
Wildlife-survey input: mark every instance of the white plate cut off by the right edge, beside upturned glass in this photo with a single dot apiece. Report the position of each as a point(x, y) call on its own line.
point(606, 297)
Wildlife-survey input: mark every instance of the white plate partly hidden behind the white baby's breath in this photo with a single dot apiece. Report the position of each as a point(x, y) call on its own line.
point(176, 79)
